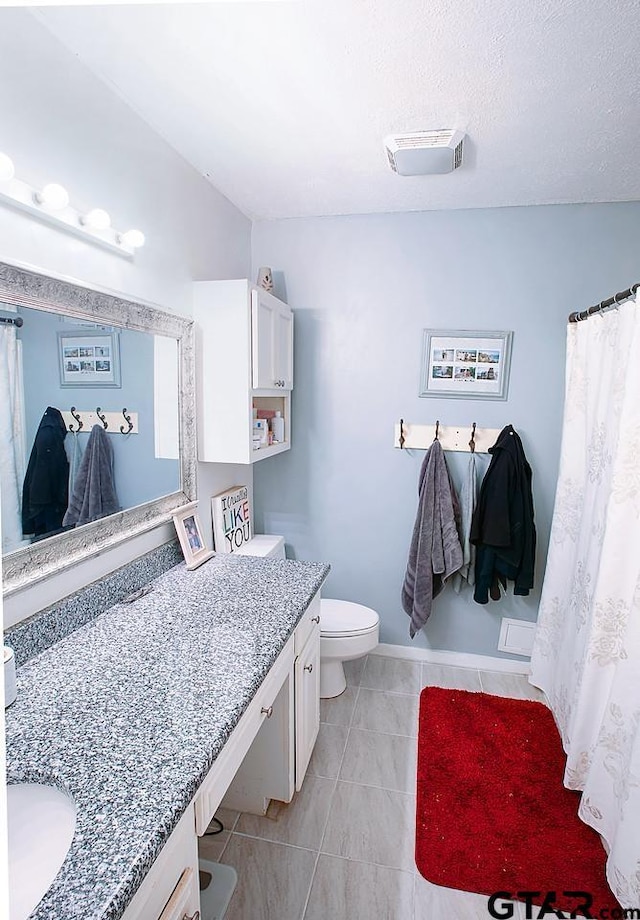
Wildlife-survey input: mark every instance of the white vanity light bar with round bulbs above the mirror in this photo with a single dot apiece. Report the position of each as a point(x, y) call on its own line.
point(51, 205)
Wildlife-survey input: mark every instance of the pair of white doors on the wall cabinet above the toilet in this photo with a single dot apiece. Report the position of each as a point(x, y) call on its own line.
point(271, 343)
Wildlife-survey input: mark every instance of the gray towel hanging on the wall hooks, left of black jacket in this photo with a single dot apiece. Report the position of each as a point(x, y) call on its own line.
point(435, 551)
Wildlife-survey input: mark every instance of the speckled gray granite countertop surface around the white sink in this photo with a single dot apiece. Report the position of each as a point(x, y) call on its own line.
point(128, 713)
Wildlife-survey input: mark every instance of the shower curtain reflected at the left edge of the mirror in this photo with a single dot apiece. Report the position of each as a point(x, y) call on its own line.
point(12, 448)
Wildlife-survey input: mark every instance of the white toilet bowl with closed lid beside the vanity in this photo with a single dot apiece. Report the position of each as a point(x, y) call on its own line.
point(347, 631)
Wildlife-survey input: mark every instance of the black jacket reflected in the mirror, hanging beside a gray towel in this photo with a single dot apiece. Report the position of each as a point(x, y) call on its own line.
point(46, 483)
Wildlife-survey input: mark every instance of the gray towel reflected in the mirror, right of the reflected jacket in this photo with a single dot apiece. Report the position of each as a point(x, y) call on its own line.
point(94, 492)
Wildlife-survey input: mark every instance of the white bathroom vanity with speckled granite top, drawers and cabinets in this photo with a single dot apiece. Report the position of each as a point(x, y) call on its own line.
point(146, 714)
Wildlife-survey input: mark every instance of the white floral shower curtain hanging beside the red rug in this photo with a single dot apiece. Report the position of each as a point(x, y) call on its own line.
point(586, 654)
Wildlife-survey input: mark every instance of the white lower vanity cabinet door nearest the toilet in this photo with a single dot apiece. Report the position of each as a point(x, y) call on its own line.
point(307, 702)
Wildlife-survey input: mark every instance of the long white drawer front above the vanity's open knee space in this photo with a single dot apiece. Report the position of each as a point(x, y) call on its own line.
point(218, 779)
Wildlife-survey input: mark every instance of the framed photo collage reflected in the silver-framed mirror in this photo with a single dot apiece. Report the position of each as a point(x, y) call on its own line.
point(89, 359)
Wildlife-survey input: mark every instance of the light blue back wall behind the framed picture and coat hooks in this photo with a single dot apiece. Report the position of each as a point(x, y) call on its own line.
point(363, 288)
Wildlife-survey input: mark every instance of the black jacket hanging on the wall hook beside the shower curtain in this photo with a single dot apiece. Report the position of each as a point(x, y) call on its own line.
point(502, 528)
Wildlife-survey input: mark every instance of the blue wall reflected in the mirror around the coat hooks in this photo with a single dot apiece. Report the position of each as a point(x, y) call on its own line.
point(139, 476)
